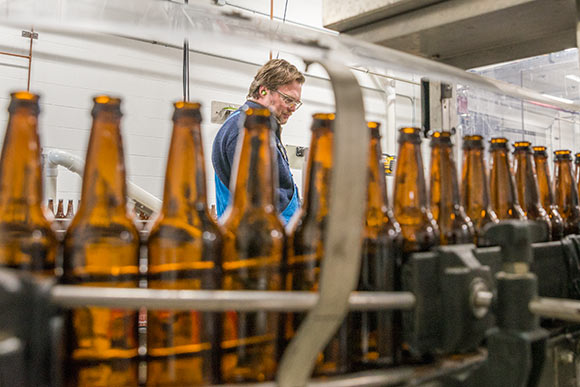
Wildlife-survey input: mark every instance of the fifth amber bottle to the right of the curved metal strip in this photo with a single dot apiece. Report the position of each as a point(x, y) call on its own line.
point(504, 200)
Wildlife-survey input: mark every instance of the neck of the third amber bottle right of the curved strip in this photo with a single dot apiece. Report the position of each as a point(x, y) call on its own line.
point(443, 181)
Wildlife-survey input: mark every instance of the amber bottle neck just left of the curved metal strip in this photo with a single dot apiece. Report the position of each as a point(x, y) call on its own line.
point(318, 173)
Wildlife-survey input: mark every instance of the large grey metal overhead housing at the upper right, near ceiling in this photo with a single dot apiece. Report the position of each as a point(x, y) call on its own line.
point(465, 33)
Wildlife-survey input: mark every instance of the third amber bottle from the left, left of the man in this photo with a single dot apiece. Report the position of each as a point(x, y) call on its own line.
point(185, 247)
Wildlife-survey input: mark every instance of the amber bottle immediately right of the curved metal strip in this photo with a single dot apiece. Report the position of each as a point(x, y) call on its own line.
point(374, 340)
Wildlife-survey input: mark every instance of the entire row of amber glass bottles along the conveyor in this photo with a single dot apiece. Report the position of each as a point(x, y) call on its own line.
point(250, 249)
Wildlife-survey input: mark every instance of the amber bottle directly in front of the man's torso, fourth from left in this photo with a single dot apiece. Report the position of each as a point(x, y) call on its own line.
point(254, 245)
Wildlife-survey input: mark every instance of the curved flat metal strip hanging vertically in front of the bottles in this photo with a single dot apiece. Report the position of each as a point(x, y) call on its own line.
point(341, 261)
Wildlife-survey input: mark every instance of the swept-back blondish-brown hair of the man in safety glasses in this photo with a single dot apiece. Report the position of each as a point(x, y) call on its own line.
point(275, 73)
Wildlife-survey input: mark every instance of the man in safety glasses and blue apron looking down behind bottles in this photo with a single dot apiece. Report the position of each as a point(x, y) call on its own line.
point(278, 87)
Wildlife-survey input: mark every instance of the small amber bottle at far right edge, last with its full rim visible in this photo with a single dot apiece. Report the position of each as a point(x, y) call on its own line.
point(566, 192)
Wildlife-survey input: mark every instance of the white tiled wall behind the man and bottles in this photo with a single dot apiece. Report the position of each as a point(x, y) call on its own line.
point(68, 71)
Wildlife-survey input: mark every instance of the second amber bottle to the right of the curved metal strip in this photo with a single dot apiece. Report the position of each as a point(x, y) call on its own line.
point(419, 229)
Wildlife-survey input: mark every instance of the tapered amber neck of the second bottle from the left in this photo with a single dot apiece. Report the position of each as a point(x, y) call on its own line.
point(104, 177)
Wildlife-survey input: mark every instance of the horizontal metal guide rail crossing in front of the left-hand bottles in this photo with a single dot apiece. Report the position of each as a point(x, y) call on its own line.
point(218, 300)
